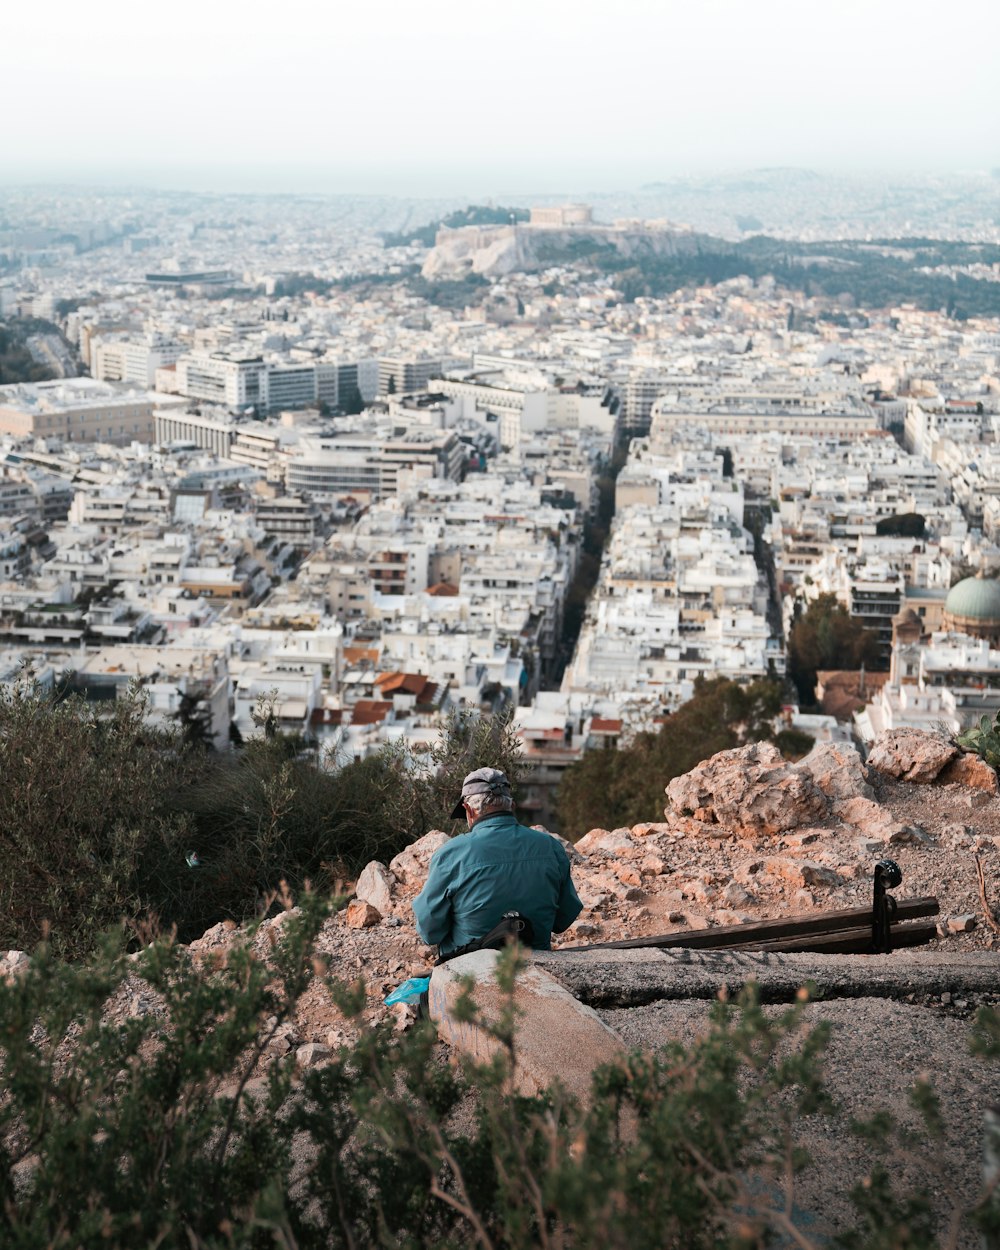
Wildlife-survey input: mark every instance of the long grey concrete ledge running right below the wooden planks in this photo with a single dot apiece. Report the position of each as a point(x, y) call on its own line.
point(634, 978)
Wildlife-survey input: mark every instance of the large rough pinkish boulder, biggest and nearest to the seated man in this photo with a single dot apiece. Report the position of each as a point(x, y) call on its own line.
point(751, 791)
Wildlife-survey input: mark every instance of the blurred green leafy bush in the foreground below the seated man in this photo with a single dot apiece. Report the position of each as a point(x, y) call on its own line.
point(149, 1133)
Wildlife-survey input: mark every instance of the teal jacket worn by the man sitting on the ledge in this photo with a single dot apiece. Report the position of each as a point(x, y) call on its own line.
point(498, 867)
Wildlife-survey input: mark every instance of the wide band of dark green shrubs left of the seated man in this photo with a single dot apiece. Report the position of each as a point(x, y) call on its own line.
point(106, 818)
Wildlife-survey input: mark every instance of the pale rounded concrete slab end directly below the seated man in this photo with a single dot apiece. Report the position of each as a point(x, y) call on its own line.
point(558, 1037)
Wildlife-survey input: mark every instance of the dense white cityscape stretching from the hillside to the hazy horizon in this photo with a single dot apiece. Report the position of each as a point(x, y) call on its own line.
point(377, 462)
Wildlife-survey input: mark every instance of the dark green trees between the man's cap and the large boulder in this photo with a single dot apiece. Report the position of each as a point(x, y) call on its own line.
point(613, 788)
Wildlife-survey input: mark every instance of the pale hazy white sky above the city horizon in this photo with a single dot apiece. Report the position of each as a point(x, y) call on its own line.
point(458, 96)
